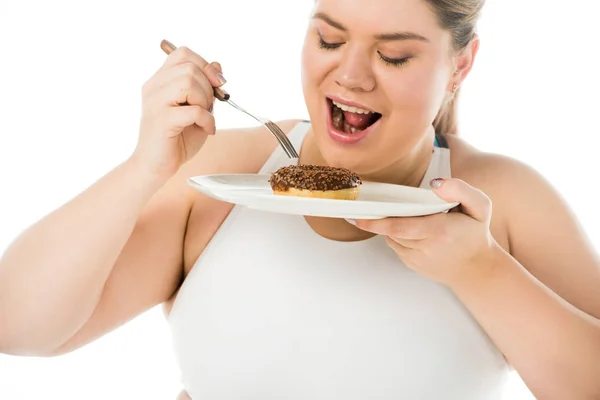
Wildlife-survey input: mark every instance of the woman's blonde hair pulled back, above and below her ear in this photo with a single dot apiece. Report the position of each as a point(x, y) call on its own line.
point(460, 18)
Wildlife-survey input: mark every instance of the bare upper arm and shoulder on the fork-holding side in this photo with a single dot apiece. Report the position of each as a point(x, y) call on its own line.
point(150, 268)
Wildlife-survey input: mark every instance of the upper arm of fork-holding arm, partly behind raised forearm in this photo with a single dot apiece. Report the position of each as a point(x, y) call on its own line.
point(149, 267)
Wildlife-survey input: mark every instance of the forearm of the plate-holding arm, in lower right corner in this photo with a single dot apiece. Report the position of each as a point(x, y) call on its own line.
point(552, 345)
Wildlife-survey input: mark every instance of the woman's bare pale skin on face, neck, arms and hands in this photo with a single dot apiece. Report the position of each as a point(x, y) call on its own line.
point(513, 253)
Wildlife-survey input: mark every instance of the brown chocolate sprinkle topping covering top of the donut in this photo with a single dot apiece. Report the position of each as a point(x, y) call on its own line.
point(313, 177)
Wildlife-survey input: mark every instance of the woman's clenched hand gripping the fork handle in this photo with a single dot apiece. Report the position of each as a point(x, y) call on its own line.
point(176, 114)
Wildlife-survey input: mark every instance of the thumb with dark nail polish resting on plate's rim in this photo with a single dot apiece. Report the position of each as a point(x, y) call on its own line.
point(473, 202)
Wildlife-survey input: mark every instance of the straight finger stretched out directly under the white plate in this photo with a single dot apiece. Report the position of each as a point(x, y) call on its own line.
point(414, 228)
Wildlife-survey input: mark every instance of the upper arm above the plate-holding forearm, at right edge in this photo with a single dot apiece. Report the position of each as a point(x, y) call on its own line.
point(543, 233)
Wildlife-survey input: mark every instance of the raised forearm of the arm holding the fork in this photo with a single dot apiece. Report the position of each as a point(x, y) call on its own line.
point(52, 275)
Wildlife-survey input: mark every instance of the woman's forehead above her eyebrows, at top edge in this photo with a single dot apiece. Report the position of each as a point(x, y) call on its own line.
point(382, 16)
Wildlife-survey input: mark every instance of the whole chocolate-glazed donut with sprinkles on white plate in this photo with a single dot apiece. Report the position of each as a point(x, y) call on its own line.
point(318, 181)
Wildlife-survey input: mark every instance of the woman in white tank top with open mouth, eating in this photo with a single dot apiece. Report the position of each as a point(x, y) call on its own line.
point(267, 305)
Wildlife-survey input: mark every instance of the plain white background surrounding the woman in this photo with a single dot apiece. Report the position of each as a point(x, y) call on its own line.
point(70, 79)
